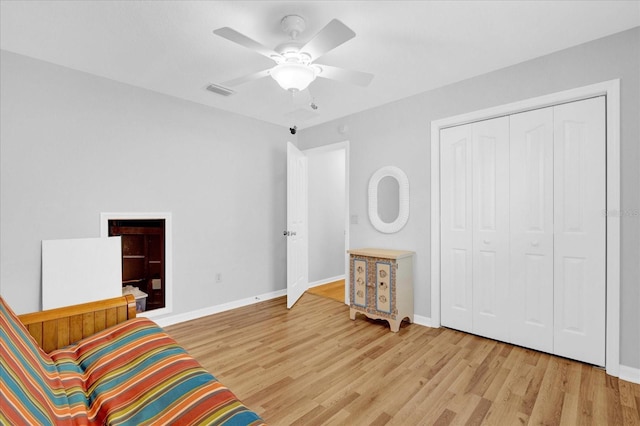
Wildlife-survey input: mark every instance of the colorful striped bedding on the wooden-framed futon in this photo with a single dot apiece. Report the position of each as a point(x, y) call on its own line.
point(132, 373)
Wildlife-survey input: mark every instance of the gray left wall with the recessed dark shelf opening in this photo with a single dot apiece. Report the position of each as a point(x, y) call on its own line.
point(74, 145)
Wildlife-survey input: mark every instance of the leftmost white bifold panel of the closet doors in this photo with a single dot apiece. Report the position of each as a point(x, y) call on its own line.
point(456, 227)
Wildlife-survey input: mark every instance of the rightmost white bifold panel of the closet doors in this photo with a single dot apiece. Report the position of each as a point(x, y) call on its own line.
point(580, 227)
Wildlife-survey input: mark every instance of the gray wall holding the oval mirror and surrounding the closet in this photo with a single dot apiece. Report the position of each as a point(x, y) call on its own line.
point(399, 134)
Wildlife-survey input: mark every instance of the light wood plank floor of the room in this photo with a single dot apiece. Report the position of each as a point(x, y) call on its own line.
point(312, 365)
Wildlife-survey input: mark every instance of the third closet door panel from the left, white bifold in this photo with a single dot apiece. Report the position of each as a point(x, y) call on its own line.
point(531, 222)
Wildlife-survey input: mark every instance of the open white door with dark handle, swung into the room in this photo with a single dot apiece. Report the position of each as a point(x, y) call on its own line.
point(297, 232)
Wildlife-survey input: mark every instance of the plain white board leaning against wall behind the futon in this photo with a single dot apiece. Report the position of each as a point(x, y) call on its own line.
point(80, 270)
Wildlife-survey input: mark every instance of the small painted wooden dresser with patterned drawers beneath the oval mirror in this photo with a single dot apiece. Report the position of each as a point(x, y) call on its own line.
point(381, 285)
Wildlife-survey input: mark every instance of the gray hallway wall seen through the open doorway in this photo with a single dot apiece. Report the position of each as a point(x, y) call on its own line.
point(326, 215)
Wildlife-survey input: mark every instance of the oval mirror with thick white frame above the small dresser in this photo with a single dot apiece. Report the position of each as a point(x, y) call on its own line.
point(389, 199)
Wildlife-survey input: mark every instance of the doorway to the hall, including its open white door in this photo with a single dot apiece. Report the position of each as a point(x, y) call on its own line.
point(323, 196)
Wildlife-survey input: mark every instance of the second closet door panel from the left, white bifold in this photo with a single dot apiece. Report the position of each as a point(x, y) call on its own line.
point(491, 228)
